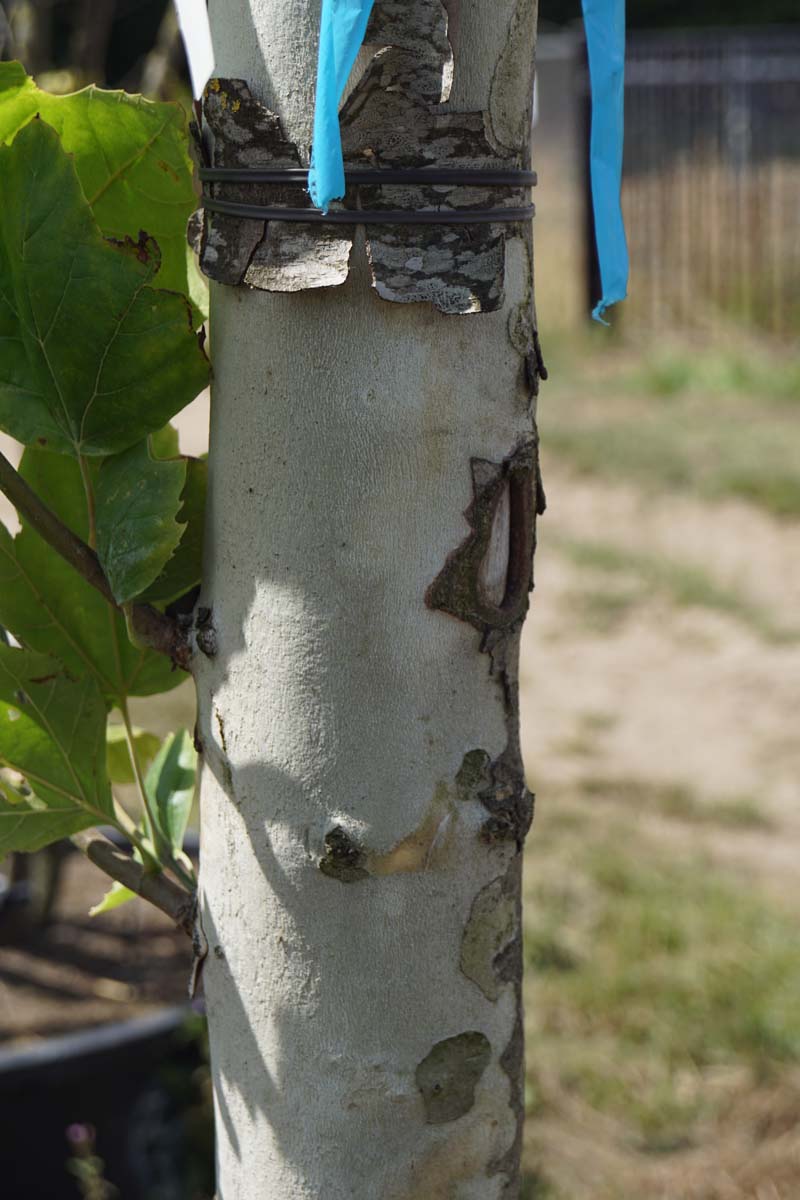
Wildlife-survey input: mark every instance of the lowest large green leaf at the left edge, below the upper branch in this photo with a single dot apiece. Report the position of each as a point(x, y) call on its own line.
point(53, 733)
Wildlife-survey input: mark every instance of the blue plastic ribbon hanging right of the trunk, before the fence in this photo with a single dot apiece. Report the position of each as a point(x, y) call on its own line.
point(605, 26)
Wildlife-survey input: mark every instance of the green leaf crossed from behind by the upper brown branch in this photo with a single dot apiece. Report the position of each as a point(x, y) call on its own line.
point(49, 607)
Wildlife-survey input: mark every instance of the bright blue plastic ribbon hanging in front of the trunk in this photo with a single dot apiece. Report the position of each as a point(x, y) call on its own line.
point(344, 26)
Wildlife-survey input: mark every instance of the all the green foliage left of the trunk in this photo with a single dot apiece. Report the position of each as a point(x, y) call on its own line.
point(99, 353)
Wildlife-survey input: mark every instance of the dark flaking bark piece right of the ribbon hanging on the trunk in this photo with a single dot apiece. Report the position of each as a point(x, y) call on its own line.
point(394, 119)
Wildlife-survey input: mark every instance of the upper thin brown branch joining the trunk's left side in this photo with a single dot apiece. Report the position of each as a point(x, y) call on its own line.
point(152, 628)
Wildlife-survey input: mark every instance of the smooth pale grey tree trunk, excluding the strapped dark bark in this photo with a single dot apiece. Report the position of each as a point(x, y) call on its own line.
point(368, 571)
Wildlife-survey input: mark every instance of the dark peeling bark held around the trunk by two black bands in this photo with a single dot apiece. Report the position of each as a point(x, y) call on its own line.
point(394, 118)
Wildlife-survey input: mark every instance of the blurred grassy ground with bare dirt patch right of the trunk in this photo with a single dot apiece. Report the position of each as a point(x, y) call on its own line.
point(661, 691)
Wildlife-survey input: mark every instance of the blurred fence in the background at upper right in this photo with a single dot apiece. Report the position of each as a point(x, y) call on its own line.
point(712, 182)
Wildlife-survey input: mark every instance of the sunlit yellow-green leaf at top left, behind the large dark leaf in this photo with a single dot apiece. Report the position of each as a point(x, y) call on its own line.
point(133, 161)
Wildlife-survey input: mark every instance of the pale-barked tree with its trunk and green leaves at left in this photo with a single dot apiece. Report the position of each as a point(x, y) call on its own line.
point(370, 531)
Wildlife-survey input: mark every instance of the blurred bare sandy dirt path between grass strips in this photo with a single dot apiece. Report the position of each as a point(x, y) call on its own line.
point(683, 697)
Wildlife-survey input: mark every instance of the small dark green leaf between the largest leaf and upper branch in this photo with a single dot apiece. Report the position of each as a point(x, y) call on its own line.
point(137, 499)
